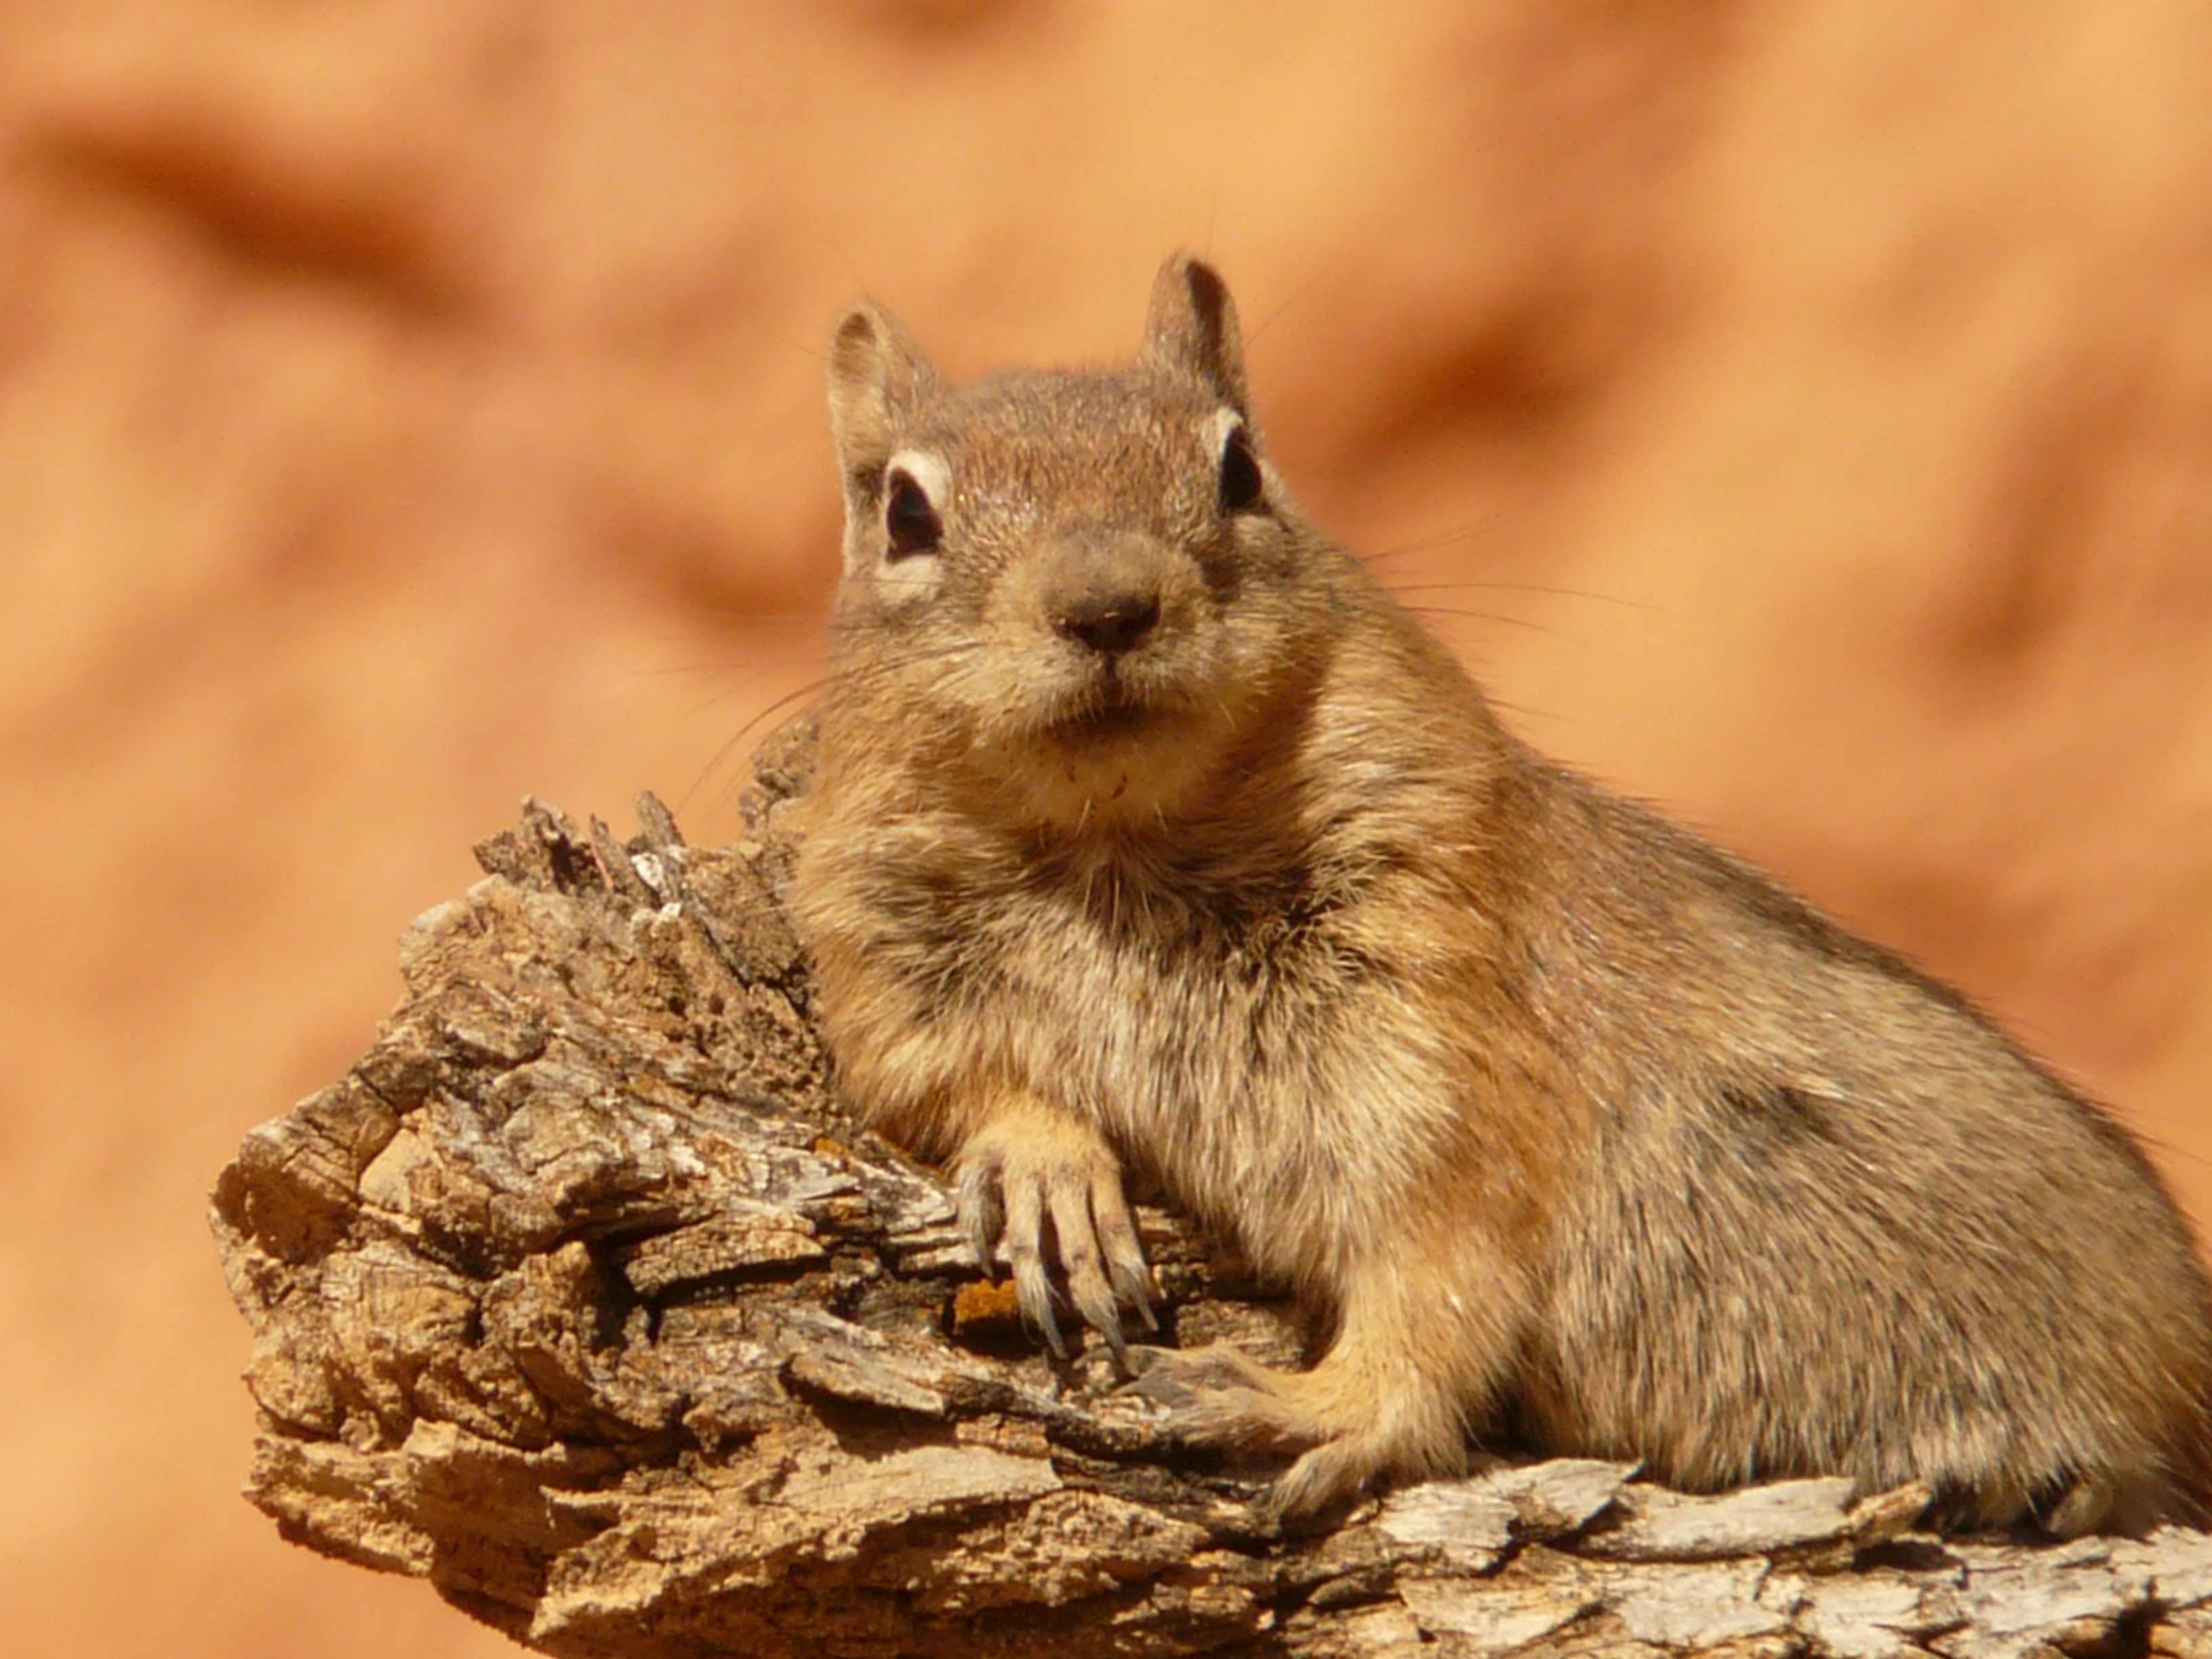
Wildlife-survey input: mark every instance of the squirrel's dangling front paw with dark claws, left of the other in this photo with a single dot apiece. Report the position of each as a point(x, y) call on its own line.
point(1027, 1169)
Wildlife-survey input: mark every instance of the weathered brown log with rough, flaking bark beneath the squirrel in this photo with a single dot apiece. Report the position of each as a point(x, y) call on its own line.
point(578, 1300)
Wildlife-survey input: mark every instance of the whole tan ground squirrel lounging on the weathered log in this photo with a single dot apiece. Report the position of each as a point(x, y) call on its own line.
point(1151, 833)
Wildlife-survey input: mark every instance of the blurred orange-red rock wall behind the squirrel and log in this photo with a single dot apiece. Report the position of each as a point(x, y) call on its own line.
point(1802, 415)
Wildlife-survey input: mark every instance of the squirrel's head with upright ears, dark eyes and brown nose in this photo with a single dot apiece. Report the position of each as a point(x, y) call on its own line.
point(1072, 587)
